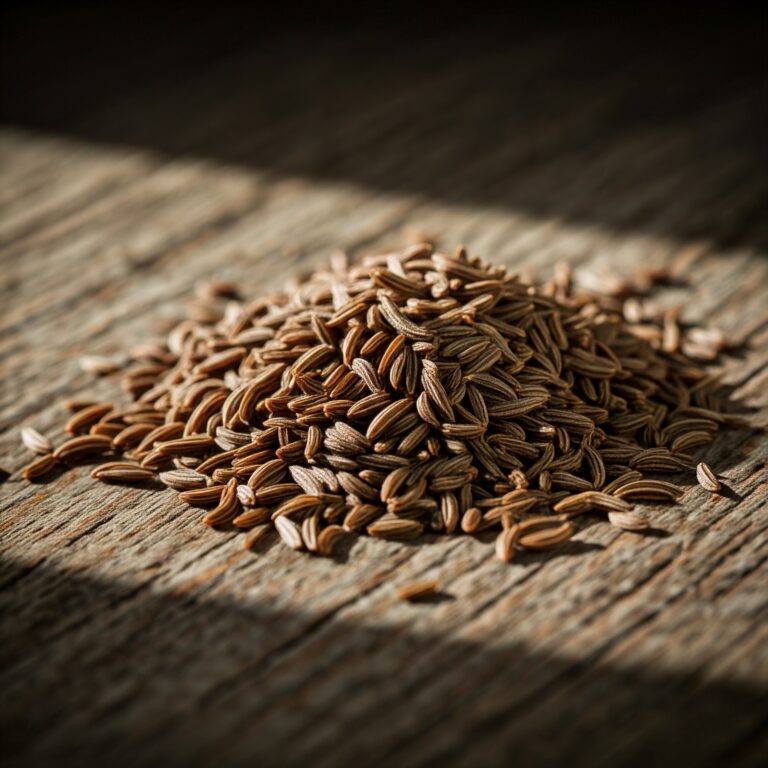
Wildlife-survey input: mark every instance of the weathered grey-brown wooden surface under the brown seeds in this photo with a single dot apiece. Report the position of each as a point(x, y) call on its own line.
point(132, 634)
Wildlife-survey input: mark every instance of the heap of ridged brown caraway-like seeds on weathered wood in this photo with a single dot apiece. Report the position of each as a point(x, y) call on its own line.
point(414, 392)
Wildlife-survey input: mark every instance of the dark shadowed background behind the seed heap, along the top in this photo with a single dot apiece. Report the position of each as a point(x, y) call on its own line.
point(470, 106)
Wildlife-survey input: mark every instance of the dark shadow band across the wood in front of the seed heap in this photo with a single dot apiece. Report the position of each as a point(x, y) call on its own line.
point(99, 673)
